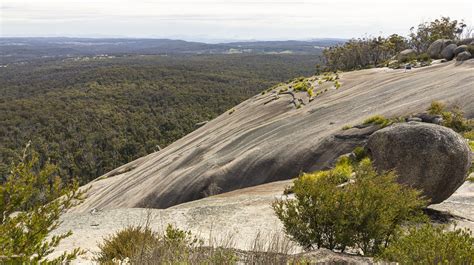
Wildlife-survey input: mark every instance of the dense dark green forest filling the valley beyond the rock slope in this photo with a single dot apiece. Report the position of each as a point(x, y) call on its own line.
point(91, 116)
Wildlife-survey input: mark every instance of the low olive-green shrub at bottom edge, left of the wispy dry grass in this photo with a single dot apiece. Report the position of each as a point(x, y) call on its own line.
point(142, 246)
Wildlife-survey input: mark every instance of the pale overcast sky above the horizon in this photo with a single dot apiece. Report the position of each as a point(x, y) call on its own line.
point(222, 20)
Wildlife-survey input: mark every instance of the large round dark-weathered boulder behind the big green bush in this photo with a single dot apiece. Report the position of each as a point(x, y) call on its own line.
point(429, 157)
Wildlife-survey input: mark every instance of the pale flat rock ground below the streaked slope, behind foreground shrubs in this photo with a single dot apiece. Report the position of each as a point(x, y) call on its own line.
point(240, 214)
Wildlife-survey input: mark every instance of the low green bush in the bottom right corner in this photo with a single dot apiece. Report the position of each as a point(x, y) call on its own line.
point(432, 245)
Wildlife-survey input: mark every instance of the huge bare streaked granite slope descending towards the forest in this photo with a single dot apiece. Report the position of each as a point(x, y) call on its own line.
point(267, 138)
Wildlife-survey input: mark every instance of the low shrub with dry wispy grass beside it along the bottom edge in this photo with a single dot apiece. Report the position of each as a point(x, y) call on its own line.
point(141, 245)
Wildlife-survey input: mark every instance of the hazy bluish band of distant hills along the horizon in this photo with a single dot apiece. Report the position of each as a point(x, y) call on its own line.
point(24, 49)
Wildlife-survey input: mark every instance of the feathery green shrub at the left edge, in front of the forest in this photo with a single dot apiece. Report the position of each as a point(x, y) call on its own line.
point(31, 201)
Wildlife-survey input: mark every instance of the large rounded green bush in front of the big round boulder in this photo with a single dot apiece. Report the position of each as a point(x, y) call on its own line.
point(366, 213)
